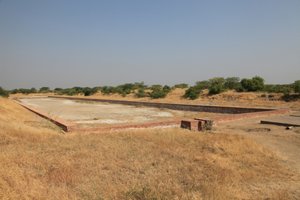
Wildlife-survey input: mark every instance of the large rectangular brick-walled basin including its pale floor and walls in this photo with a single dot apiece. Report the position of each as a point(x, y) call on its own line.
point(96, 115)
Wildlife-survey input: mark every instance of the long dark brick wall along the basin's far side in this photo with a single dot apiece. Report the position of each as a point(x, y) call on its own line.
point(173, 106)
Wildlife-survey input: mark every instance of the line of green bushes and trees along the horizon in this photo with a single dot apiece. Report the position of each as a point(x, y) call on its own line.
point(214, 86)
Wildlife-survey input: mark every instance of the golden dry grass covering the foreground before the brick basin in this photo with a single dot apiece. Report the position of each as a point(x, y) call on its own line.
point(39, 162)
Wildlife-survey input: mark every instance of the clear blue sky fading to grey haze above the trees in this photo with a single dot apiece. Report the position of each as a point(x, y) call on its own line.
point(65, 43)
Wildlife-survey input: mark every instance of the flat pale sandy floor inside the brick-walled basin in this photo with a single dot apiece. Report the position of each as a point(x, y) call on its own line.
point(105, 113)
